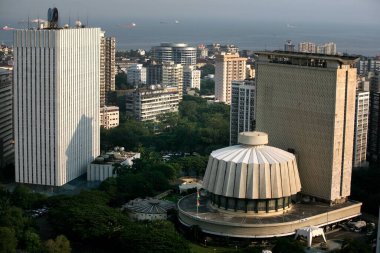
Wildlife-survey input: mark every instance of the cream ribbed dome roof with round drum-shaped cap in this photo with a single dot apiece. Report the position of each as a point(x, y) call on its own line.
point(252, 170)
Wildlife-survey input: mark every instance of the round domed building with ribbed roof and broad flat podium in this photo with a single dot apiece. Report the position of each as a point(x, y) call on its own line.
point(249, 192)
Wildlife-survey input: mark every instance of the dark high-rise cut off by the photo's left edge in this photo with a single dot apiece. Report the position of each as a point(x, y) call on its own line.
point(6, 118)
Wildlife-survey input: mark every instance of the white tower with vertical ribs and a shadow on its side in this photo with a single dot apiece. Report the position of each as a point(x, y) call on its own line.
point(56, 103)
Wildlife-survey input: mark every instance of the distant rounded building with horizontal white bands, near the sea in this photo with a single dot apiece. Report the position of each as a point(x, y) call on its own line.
point(180, 53)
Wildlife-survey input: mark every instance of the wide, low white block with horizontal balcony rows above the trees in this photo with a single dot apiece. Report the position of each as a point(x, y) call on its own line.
point(147, 104)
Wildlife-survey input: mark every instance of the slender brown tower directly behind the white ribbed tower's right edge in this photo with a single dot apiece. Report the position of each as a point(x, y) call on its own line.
point(107, 67)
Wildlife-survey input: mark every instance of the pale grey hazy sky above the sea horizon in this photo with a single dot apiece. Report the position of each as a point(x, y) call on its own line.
point(287, 11)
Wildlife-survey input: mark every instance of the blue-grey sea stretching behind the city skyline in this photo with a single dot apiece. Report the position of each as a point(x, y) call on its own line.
point(353, 39)
